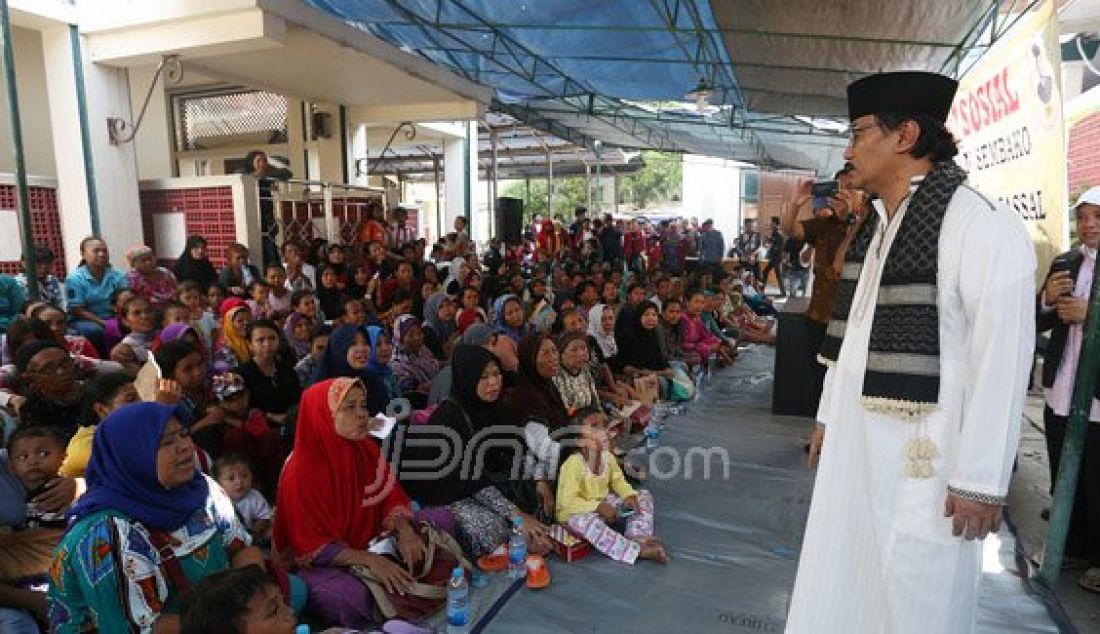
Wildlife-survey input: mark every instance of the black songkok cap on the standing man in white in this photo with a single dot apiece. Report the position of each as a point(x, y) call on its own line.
point(907, 92)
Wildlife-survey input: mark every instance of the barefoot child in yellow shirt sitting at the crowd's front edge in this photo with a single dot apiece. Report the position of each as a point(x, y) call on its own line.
point(595, 499)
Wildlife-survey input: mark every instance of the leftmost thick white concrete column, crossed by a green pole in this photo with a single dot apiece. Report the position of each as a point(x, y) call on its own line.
point(116, 168)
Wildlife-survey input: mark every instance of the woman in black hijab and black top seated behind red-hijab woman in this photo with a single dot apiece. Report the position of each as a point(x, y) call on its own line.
point(483, 517)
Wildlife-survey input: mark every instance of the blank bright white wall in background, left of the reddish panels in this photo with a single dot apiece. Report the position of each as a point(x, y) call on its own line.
point(712, 189)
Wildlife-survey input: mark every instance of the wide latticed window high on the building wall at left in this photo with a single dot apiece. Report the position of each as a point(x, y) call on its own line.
point(229, 118)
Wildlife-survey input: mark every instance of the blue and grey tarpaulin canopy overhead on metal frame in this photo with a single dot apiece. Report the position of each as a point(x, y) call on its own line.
point(620, 71)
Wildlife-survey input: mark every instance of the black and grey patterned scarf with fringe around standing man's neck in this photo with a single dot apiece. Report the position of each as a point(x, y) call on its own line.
point(903, 376)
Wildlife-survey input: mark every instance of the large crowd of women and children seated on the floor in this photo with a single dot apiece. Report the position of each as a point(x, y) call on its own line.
point(191, 440)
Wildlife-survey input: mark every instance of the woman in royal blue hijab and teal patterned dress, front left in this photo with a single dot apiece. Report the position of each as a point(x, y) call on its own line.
point(146, 497)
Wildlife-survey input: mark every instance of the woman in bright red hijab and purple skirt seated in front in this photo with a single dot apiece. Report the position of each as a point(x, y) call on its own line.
point(337, 494)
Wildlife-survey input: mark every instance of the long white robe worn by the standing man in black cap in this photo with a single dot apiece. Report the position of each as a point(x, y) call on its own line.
point(878, 554)
